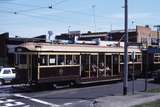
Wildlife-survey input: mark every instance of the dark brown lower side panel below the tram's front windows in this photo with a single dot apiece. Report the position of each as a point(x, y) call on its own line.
point(58, 74)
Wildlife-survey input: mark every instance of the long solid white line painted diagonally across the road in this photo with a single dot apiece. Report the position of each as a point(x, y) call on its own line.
point(37, 100)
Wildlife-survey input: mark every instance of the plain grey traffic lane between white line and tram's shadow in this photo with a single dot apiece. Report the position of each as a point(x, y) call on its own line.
point(88, 93)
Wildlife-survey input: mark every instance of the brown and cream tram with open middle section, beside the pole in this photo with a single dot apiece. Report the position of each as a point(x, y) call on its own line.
point(41, 63)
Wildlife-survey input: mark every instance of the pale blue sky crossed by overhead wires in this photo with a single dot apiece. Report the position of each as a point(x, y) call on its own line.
point(29, 18)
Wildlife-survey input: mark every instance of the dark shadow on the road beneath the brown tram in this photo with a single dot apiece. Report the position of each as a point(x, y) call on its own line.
point(40, 88)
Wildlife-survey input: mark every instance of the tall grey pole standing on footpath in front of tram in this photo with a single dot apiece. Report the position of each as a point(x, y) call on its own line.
point(125, 75)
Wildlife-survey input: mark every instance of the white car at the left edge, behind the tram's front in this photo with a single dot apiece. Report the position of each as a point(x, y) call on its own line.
point(7, 75)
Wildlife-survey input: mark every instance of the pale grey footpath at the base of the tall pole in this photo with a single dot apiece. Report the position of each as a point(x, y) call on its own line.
point(126, 101)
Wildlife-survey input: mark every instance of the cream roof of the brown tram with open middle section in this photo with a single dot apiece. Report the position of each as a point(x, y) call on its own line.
point(72, 48)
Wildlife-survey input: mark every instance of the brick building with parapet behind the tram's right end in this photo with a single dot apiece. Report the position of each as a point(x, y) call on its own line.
point(142, 34)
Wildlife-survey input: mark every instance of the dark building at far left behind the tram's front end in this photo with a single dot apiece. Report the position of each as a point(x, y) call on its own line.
point(8, 44)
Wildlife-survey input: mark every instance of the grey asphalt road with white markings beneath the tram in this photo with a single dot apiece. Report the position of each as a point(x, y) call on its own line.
point(83, 96)
